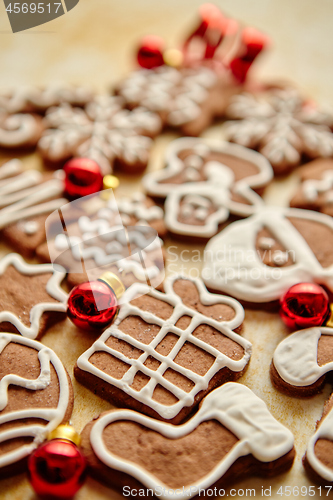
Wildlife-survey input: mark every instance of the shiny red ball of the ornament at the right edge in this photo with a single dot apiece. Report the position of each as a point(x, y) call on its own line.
point(304, 305)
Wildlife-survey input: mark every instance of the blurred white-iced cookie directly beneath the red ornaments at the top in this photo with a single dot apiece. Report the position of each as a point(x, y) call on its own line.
point(186, 98)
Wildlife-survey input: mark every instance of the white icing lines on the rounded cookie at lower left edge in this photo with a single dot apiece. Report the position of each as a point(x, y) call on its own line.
point(54, 416)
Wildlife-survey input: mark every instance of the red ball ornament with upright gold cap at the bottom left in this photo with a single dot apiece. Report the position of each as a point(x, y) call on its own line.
point(57, 468)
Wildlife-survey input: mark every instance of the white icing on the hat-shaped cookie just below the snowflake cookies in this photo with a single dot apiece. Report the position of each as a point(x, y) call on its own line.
point(216, 188)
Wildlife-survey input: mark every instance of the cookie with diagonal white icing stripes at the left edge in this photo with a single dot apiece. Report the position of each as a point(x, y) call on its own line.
point(26, 200)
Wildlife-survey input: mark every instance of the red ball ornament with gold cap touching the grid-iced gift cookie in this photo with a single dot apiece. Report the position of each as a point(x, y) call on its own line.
point(93, 305)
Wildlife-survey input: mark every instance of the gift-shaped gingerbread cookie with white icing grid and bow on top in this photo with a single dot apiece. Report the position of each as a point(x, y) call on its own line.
point(166, 351)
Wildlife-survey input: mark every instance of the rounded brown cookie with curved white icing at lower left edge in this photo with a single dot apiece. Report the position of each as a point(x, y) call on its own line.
point(35, 397)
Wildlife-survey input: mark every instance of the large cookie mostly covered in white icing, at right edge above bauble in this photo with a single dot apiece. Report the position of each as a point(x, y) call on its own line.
point(256, 260)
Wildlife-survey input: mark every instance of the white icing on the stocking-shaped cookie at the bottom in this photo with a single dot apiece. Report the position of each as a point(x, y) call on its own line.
point(234, 406)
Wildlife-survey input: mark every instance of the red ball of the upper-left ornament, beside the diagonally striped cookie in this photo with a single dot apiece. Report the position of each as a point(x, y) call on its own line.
point(82, 177)
